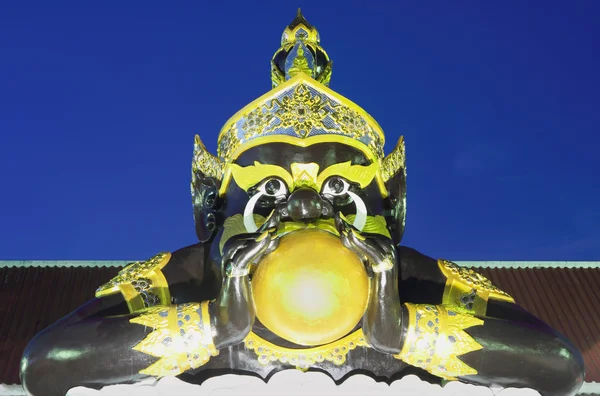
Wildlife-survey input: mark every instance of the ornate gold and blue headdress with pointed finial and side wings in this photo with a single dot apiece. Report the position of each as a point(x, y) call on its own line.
point(300, 109)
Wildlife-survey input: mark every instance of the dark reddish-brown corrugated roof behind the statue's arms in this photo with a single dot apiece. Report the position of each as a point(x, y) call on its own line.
point(566, 298)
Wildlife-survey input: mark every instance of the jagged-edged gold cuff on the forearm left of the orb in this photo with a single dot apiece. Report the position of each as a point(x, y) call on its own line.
point(182, 338)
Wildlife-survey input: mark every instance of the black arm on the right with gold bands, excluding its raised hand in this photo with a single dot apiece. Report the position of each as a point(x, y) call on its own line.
point(489, 338)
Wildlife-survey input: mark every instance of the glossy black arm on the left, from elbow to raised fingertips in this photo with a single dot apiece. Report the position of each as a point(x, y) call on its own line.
point(105, 347)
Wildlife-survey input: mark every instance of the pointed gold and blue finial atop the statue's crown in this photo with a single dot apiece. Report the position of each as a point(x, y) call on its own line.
point(300, 51)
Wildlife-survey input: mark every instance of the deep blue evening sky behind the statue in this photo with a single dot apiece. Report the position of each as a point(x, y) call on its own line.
point(498, 103)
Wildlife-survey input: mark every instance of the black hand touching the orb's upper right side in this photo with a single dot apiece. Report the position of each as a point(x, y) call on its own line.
point(377, 250)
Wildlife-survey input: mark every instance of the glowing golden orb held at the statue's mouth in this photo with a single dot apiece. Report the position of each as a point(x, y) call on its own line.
point(311, 290)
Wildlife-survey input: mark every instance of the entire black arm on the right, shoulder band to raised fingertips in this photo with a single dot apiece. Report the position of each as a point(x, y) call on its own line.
point(470, 330)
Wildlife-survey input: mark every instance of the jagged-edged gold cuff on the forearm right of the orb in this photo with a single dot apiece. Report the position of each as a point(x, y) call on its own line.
point(435, 338)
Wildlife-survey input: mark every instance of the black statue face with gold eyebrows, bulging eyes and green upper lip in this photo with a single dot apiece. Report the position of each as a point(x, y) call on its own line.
point(306, 185)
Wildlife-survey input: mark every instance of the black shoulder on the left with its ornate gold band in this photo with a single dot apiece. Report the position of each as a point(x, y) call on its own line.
point(150, 282)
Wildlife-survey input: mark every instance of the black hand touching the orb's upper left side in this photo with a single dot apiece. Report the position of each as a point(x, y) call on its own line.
point(242, 250)
